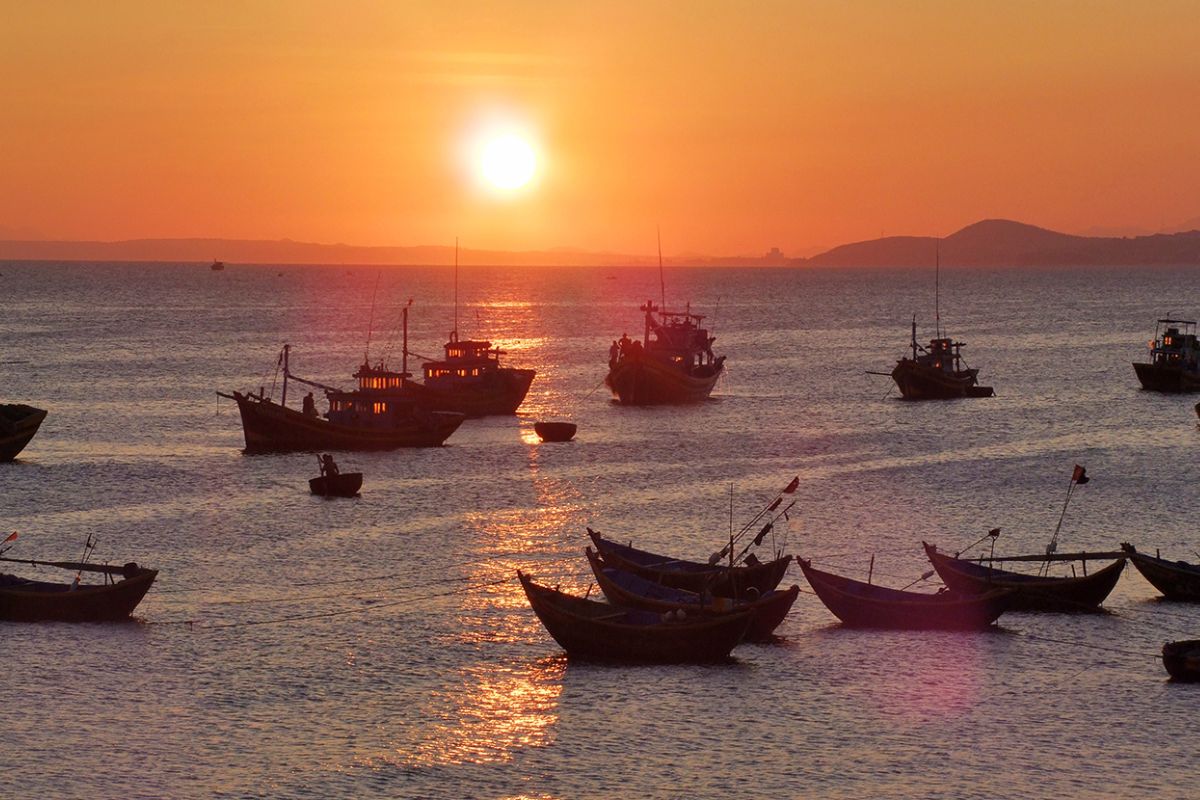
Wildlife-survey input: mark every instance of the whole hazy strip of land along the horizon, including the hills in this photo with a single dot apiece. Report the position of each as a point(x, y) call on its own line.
point(991, 243)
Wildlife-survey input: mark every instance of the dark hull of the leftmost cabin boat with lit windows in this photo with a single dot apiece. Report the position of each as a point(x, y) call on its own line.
point(271, 428)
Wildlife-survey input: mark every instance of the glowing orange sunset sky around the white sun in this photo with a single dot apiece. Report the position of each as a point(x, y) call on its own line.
point(736, 127)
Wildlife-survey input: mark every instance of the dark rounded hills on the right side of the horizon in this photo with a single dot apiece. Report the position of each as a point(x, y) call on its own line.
point(1003, 243)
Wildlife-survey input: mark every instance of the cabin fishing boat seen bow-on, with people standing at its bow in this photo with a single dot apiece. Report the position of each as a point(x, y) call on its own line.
point(674, 363)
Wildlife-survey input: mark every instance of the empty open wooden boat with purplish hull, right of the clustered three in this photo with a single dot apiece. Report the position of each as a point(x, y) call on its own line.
point(865, 605)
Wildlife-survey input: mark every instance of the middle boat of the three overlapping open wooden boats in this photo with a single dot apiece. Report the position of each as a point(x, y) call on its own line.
point(633, 591)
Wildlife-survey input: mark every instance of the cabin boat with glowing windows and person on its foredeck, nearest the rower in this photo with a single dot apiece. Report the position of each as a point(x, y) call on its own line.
point(375, 417)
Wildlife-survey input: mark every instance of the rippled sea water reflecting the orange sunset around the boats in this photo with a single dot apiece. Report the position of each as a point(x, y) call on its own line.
point(381, 647)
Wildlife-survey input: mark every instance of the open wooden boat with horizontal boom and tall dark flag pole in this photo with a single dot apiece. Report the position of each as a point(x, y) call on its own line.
point(1031, 593)
